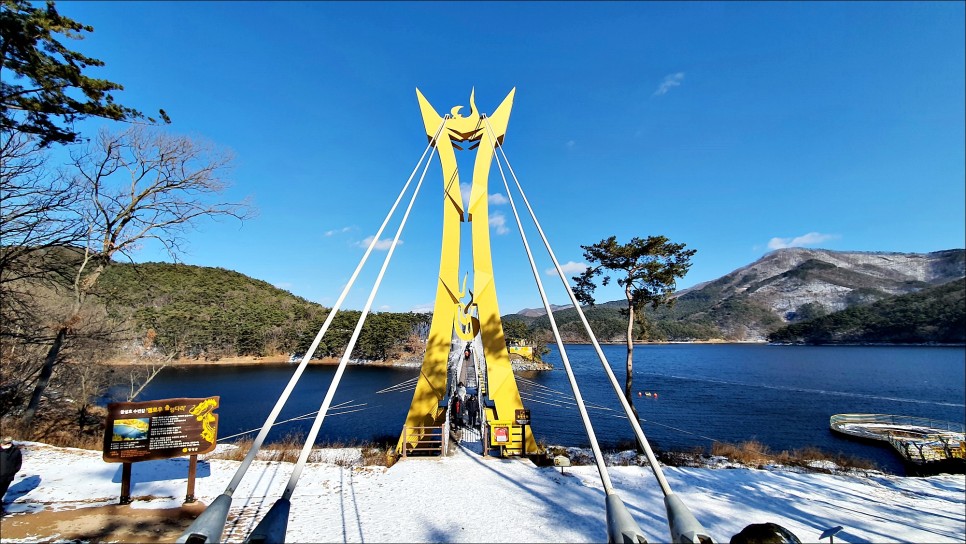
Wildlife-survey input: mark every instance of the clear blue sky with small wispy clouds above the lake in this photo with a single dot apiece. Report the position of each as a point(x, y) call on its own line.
point(734, 128)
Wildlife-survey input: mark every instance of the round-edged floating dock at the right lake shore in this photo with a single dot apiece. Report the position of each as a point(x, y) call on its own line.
point(924, 443)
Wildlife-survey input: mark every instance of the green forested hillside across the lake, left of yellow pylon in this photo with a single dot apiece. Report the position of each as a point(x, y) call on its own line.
point(200, 312)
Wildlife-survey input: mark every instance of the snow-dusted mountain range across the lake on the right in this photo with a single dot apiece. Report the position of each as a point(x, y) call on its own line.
point(783, 287)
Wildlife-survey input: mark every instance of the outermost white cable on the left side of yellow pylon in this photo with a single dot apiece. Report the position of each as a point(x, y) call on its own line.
point(283, 398)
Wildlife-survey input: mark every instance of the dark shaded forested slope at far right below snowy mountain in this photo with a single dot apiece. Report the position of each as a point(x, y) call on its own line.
point(935, 315)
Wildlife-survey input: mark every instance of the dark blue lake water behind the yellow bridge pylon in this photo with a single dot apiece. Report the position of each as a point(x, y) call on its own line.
point(781, 396)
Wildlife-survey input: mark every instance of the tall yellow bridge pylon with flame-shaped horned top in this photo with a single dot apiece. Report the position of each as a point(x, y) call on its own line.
point(480, 314)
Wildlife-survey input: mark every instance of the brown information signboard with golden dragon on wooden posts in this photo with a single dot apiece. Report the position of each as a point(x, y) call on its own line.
point(160, 429)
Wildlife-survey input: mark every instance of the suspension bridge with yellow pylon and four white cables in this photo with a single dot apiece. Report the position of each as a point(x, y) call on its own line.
point(466, 363)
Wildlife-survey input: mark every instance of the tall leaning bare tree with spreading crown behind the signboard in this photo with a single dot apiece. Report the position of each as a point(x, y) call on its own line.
point(138, 185)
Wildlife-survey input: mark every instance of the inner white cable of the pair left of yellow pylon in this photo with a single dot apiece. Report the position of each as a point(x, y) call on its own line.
point(317, 424)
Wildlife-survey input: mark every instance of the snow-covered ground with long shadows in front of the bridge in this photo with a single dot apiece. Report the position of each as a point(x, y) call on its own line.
point(467, 498)
